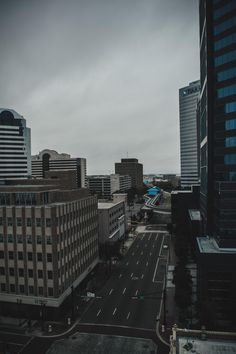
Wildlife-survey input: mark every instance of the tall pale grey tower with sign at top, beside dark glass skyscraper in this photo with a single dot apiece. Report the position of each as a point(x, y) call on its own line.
point(188, 98)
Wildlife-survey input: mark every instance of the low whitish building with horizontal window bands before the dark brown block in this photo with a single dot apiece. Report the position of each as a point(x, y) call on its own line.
point(105, 185)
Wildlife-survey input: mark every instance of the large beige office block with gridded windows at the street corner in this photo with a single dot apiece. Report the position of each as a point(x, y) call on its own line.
point(48, 242)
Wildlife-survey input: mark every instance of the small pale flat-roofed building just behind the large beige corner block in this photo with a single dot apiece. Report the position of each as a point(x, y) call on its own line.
point(112, 221)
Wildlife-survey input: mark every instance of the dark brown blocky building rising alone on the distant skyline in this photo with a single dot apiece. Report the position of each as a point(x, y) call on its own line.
point(132, 168)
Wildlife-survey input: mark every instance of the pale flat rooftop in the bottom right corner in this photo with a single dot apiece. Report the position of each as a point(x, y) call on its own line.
point(208, 346)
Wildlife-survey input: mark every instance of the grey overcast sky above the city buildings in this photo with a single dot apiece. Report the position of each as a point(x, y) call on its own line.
point(100, 78)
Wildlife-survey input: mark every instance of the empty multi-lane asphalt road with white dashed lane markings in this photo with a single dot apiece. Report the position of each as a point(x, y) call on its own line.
point(140, 274)
